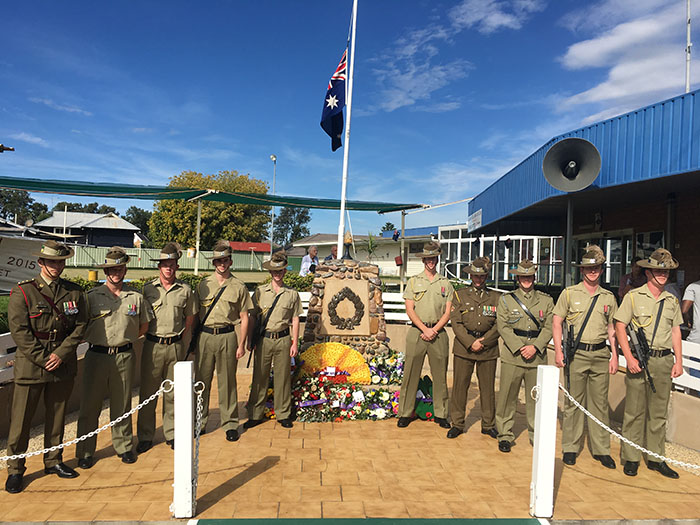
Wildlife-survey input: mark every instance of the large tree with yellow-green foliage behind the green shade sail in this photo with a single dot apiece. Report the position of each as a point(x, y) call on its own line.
point(176, 220)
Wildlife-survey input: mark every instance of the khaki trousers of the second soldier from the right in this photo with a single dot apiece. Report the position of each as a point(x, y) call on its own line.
point(590, 379)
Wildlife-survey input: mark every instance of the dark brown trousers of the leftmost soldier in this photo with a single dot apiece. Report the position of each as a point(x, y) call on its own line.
point(25, 399)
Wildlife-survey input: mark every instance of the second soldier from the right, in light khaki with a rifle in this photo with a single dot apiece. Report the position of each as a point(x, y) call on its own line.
point(593, 361)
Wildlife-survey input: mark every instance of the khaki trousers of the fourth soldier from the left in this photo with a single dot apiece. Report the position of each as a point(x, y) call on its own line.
point(218, 352)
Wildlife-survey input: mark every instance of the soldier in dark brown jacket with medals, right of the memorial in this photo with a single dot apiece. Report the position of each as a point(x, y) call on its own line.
point(473, 321)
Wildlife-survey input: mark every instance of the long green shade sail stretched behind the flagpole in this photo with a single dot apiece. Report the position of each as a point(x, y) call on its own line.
point(131, 191)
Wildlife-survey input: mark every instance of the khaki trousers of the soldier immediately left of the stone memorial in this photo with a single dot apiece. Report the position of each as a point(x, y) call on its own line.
point(272, 353)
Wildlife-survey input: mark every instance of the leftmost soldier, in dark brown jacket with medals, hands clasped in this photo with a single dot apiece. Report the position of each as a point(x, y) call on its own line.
point(47, 317)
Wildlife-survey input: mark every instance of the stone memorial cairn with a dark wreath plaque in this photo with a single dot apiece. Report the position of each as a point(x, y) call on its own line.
point(346, 307)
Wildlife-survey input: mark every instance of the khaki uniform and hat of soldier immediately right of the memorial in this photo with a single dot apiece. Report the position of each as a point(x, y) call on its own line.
point(430, 301)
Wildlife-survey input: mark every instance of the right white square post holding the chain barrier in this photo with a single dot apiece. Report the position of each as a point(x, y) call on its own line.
point(542, 484)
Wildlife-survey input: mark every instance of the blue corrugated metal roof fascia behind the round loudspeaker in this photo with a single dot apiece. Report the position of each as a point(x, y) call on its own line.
point(652, 142)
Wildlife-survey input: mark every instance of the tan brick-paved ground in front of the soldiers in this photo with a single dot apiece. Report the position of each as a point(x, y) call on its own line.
point(349, 470)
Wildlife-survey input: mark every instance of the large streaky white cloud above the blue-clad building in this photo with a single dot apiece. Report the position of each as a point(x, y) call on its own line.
point(640, 44)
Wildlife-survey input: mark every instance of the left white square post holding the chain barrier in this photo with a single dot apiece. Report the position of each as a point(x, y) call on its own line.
point(184, 502)
